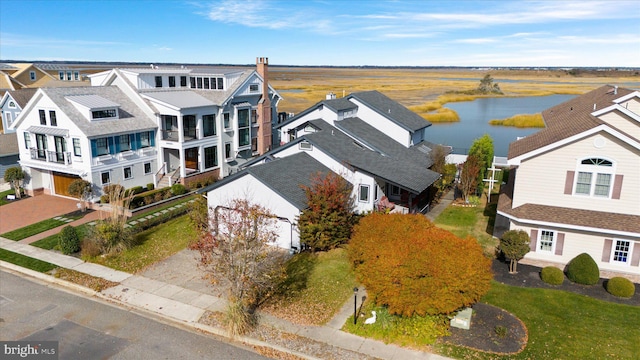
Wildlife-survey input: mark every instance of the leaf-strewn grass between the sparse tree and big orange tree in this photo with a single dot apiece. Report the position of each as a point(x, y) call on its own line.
point(317, 287)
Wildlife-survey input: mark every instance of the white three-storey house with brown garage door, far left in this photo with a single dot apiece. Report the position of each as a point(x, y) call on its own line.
point(95, 133)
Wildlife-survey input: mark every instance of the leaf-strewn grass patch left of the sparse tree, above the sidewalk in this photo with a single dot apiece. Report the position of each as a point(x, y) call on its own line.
point(151, 246)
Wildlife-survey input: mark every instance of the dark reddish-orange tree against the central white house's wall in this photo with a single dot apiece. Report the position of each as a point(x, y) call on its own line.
point(329, 218)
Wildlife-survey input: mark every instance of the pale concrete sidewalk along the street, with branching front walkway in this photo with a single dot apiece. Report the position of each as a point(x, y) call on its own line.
point(186, 306)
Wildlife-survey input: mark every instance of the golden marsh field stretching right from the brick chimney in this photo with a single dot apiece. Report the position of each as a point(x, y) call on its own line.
point(425, 91)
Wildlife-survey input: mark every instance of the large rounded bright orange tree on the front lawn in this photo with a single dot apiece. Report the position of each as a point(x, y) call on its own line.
point(416, 268)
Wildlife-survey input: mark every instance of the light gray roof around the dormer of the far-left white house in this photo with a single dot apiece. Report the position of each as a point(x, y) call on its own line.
point(132, 118)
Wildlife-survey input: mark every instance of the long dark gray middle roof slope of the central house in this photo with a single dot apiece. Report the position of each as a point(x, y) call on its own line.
point(399, 169)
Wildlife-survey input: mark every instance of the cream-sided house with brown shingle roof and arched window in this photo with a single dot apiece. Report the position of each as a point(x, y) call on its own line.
point(575, 185)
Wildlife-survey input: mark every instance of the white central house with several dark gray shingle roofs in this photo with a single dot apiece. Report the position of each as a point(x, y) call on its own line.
point(385, 172)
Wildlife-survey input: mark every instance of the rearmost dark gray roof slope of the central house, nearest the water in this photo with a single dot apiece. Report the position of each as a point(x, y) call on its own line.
point(392, 110)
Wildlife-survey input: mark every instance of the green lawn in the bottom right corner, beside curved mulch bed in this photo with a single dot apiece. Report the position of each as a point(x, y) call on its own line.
point(563, 325)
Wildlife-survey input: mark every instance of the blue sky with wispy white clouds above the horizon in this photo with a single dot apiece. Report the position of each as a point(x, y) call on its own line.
point(325, 32)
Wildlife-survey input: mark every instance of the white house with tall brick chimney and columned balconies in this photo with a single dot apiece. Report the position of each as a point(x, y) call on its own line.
point(210, 120)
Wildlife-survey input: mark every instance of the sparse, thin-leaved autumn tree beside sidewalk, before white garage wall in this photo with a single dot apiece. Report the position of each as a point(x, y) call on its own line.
point(240, 252)
